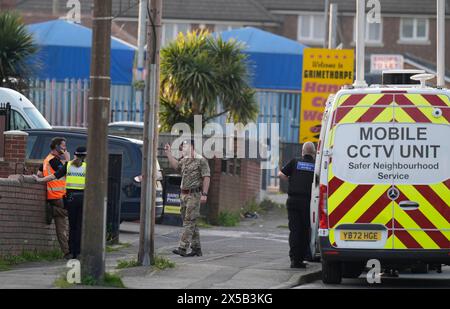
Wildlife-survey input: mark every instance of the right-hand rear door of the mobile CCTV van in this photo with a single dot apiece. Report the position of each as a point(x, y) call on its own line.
point(422, 209)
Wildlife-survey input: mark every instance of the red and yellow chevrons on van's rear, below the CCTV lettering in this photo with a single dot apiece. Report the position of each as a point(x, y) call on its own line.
point(425, 228)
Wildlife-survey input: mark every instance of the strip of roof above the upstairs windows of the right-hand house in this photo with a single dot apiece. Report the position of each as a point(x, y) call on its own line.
point(387, 6)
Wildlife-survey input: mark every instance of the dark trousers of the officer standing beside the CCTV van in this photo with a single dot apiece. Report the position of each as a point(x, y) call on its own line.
point(299, 228)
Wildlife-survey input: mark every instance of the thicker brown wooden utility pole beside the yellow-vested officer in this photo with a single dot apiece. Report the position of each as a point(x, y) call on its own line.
point(94, 212)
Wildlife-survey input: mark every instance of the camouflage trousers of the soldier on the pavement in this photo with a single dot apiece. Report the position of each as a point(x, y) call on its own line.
point(190, 212)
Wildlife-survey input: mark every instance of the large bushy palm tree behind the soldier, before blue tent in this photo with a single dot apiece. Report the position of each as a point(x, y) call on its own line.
point(200, 72)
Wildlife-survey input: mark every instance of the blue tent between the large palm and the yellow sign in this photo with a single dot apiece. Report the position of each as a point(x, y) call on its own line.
point(276, 61)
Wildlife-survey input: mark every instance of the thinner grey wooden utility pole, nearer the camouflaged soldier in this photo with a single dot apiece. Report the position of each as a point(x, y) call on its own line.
point(148, 187)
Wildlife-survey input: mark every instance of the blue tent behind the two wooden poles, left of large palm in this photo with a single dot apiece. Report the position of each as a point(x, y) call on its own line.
point(65, 52)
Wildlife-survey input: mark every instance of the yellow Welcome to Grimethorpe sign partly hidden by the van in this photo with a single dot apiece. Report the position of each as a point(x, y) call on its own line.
point(324, 72)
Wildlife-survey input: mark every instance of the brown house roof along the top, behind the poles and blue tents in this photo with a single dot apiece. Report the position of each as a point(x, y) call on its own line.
point(215, 10)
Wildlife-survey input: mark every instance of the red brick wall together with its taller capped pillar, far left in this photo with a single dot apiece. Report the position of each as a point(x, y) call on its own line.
point(22, 202)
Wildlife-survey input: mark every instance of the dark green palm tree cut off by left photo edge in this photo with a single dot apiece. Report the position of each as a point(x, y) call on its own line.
point(16, 47)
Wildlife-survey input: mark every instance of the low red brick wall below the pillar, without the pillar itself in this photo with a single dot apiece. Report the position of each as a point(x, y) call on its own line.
point(22, 217)
